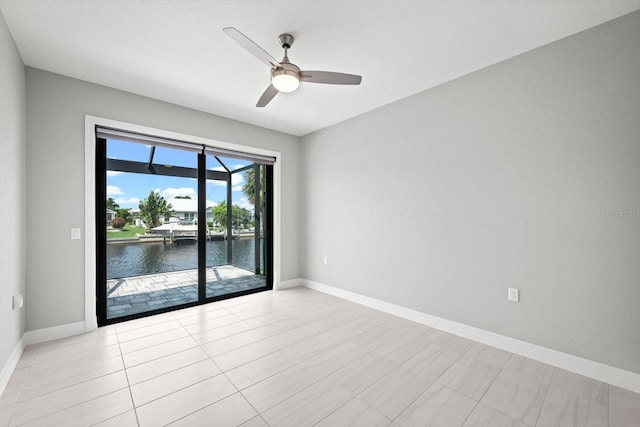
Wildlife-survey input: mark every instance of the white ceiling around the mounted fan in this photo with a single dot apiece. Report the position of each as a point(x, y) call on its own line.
point(175, 50)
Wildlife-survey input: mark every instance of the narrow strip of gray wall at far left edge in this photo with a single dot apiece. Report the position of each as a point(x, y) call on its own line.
point(12, 192)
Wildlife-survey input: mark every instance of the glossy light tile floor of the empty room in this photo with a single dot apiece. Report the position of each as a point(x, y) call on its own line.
point(296, 358)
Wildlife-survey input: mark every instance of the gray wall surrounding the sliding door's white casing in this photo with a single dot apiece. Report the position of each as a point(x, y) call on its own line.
point(56, 107)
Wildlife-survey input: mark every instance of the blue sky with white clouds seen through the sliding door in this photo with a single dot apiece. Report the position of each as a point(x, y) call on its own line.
point(128, 189)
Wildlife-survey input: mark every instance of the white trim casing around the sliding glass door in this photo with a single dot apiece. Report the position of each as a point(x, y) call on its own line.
point(90, 322)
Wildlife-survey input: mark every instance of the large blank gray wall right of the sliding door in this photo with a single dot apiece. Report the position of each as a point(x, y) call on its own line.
point(525, 174)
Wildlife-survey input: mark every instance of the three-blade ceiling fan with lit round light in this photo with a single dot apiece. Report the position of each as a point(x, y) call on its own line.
point(286, 76)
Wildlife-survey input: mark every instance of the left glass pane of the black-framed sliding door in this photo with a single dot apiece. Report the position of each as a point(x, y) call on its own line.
point(152, 251)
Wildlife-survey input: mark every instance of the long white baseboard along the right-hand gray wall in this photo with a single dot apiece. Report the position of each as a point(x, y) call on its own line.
point(605, 373)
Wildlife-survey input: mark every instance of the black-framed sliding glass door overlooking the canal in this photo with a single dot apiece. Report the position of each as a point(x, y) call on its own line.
point(177, 227)
